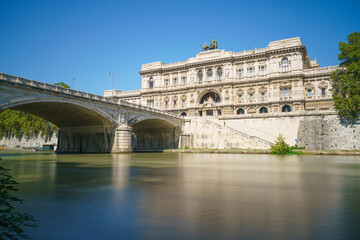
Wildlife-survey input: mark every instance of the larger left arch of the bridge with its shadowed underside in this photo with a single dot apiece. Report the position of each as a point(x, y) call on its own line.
point(83, 128)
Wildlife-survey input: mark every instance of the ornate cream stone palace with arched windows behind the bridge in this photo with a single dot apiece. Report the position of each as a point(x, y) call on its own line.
point(278, 79)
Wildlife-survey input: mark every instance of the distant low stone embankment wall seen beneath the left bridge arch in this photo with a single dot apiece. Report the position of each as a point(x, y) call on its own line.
point(27, 142)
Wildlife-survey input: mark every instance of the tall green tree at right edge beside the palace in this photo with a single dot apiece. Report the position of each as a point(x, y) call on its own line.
point(346, 81)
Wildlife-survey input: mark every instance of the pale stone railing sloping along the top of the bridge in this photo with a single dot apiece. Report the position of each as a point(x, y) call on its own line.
point(72, 92)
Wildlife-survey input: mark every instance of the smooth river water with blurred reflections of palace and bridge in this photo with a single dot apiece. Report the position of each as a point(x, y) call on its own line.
point(188, 196)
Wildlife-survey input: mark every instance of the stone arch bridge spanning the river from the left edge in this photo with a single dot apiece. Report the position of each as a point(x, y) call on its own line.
point(91, 123)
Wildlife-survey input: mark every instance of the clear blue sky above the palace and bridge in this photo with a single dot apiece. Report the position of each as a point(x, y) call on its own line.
point(52, 41)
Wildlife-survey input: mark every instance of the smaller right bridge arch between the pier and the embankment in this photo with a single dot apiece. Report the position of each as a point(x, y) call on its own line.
point(154, 133)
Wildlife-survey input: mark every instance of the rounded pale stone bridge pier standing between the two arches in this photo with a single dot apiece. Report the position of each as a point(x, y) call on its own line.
point(122, 140)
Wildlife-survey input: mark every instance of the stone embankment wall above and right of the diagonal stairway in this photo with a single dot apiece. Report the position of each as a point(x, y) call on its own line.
point(326, 132)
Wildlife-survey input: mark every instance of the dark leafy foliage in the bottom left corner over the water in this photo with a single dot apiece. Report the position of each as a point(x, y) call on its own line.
point(12, 222)
